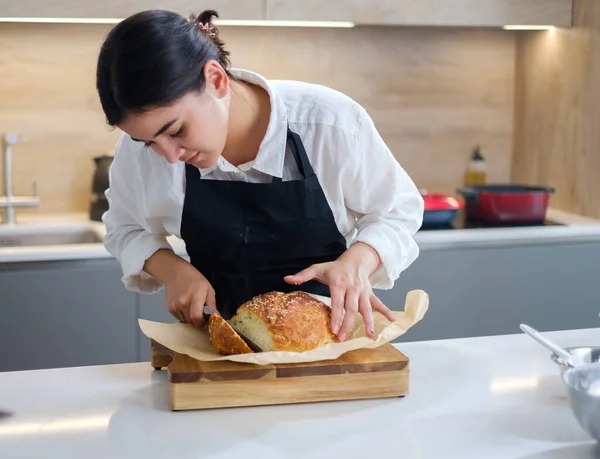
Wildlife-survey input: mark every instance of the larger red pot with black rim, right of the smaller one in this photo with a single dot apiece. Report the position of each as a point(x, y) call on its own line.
point(506, 203)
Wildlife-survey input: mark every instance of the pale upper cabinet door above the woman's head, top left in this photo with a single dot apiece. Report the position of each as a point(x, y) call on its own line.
point(227, 9)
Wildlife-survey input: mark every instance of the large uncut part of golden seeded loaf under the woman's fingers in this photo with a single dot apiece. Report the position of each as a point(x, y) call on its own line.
point(276, 321)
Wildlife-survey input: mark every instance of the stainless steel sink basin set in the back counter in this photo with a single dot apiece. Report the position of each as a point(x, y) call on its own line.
point(47, 236)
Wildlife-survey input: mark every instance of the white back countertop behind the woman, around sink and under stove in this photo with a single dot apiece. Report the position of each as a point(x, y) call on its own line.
point(575, 229)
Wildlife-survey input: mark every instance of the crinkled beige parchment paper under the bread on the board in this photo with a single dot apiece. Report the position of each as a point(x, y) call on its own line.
point(194, 341)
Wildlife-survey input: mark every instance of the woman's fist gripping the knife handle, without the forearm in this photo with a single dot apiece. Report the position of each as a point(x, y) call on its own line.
point(187, 293)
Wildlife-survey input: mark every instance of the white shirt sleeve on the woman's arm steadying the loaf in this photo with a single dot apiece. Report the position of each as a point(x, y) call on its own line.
point(388, 206)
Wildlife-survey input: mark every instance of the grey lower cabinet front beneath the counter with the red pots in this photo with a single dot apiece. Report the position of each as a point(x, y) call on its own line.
point(491, 291)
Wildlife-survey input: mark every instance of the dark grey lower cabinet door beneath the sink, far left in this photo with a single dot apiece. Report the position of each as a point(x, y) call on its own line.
point(63, 314)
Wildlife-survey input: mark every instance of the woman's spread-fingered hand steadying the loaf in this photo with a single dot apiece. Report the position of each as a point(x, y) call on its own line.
point(348, 281)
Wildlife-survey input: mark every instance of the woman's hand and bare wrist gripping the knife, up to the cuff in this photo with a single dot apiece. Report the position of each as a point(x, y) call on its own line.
point(188, 291)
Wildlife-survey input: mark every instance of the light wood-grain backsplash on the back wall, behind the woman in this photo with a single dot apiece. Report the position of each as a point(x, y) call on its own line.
point(433, 94)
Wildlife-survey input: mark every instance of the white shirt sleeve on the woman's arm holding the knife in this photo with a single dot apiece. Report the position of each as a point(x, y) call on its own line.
point(128, 238)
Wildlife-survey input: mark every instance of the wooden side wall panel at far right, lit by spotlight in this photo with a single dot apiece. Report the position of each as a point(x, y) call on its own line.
point(557, 119)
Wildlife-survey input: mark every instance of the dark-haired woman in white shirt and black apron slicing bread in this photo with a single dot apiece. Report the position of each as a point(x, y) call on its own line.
point(272, 185)
